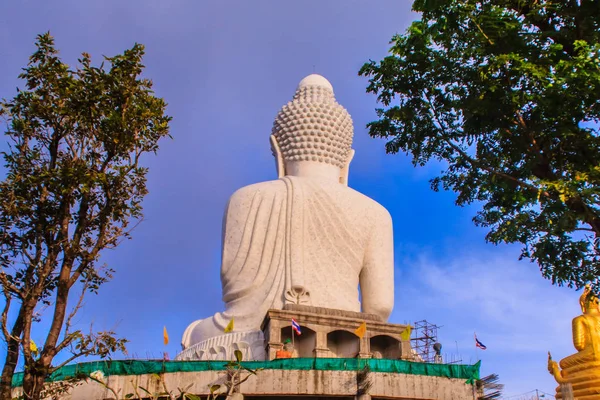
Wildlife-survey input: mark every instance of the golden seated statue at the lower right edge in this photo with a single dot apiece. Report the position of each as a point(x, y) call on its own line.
point(582, 369)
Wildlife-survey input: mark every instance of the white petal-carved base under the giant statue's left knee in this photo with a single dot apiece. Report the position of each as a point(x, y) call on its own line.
point(251, 344)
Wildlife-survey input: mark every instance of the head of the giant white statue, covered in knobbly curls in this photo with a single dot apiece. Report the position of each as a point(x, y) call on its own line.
point(313, 132)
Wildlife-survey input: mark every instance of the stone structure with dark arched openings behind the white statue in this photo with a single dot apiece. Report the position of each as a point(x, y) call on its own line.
point(329, 333)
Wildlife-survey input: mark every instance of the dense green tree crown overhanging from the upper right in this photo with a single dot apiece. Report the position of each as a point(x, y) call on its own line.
point(506, 93)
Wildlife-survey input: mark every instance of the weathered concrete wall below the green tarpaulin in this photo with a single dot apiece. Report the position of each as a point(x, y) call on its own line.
point(284, 384)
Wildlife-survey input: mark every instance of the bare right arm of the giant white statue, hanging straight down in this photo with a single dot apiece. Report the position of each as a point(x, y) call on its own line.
point(377, 275)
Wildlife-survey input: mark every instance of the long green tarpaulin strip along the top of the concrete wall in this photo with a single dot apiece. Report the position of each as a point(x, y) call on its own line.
point(140, 367)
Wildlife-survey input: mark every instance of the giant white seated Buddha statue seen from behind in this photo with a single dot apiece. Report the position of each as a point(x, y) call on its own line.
point(305, 238)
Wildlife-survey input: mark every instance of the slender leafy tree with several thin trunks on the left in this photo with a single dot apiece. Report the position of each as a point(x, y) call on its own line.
point(74, 185)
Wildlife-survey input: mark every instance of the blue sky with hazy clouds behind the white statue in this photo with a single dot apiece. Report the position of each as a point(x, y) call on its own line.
point(225, 68)
